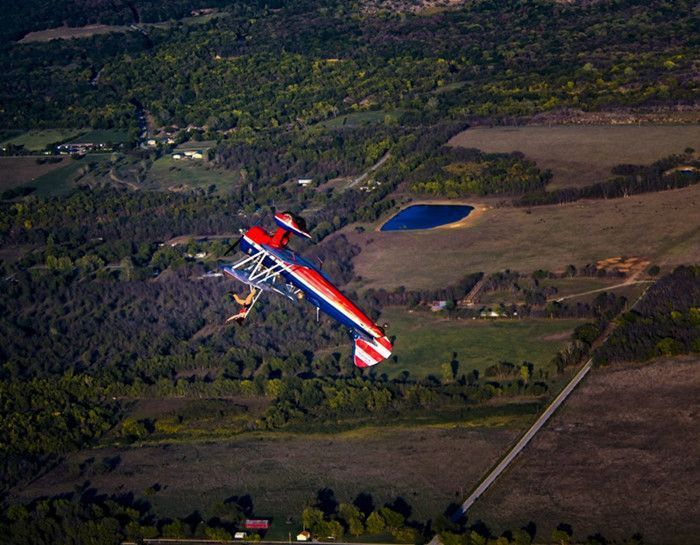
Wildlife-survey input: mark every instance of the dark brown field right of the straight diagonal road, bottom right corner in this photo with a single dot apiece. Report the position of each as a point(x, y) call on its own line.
point(609, 462)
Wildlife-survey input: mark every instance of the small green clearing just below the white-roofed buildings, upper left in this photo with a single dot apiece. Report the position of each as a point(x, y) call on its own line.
point(171, 174)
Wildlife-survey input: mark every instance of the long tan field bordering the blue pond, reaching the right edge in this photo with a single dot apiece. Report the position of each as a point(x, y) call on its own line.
point(661, 227)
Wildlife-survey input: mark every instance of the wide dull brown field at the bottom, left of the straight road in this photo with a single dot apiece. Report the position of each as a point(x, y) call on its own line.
point(282, 472)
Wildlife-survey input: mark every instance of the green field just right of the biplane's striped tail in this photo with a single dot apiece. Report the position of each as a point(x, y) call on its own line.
point(425, 341)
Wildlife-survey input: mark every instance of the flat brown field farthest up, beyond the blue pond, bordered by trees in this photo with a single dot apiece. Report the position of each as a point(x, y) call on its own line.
point(580, 155)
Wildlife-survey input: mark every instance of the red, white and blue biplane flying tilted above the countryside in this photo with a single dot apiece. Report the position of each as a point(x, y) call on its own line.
point(269, 266)
